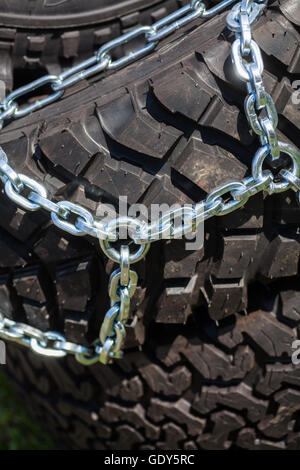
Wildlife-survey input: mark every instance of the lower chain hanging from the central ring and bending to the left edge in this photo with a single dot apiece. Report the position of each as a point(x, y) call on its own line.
point(122, 286)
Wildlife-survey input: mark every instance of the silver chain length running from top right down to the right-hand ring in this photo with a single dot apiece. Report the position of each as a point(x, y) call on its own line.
point(260, 108)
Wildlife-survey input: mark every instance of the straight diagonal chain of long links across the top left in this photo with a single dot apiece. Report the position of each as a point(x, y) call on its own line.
point(103, 59)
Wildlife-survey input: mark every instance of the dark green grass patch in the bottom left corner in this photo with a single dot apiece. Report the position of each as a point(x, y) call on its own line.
point(18, 431)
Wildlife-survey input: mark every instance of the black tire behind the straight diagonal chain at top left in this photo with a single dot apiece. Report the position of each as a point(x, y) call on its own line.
point(47, 36)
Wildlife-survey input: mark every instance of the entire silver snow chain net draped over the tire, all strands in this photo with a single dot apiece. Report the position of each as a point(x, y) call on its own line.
point(30, 195)
